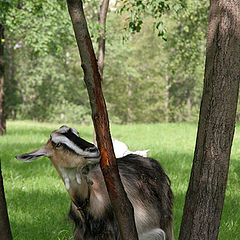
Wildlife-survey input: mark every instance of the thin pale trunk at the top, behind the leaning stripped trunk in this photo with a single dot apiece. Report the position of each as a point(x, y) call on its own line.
point(101, 45)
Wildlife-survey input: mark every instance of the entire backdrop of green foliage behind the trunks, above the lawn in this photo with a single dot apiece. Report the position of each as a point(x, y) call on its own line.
point(145, 79)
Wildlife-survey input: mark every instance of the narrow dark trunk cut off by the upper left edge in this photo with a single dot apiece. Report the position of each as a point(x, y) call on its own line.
point(2, 116)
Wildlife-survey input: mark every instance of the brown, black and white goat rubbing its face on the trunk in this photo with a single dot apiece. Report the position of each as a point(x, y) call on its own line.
point(145, 182)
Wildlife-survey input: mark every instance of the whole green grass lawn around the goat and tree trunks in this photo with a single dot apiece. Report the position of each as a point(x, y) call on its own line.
point(36, 197)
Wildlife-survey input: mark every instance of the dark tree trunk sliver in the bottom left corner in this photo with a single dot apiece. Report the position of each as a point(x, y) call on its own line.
point(5, 231)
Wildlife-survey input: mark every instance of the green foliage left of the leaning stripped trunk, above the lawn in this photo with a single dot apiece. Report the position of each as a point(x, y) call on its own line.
point(46, 85)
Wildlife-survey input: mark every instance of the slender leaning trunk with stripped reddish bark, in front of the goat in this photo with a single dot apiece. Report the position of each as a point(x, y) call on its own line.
point(121, 205)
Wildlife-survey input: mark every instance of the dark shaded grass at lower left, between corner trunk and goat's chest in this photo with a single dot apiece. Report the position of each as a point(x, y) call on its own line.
point(39, 215)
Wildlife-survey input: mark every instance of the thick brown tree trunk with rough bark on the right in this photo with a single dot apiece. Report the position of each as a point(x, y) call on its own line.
point(206, 191)
